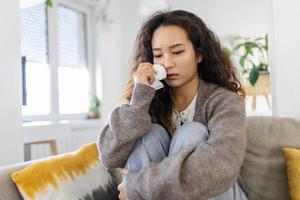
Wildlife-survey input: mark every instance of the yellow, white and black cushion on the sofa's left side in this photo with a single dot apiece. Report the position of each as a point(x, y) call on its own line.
point(77, 175)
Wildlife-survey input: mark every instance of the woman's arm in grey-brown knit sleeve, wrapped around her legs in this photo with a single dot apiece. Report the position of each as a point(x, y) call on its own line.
point(203, 171)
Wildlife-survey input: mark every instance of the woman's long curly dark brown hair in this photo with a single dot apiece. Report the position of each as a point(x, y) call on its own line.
point(216, 67)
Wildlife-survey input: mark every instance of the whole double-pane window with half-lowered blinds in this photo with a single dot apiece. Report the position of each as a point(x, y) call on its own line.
point(56, 85)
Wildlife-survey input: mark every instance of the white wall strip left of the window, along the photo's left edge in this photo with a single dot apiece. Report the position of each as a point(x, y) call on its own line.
point(11, 149)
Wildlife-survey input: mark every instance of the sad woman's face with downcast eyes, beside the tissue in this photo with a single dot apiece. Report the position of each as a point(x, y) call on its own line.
point(172, 49)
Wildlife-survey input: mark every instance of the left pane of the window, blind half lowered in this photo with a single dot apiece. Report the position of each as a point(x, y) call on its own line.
point(34, 51)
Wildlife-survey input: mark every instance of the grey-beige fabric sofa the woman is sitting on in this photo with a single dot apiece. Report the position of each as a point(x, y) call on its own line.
point(263, 172)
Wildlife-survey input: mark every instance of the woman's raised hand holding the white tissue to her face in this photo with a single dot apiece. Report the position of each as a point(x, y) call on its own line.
point(144, 74)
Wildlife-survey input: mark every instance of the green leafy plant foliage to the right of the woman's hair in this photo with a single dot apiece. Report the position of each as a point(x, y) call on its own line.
point(251, 54)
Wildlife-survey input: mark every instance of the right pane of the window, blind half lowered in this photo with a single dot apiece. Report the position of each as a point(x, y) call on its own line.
point(72, 72)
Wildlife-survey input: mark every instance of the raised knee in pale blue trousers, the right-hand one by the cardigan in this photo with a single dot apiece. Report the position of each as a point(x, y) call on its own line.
point(189, 134)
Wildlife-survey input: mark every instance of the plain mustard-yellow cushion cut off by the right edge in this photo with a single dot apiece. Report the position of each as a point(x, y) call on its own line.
point(292, 160)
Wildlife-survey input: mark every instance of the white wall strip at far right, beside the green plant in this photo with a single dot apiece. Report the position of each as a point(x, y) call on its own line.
point(284, 57)
